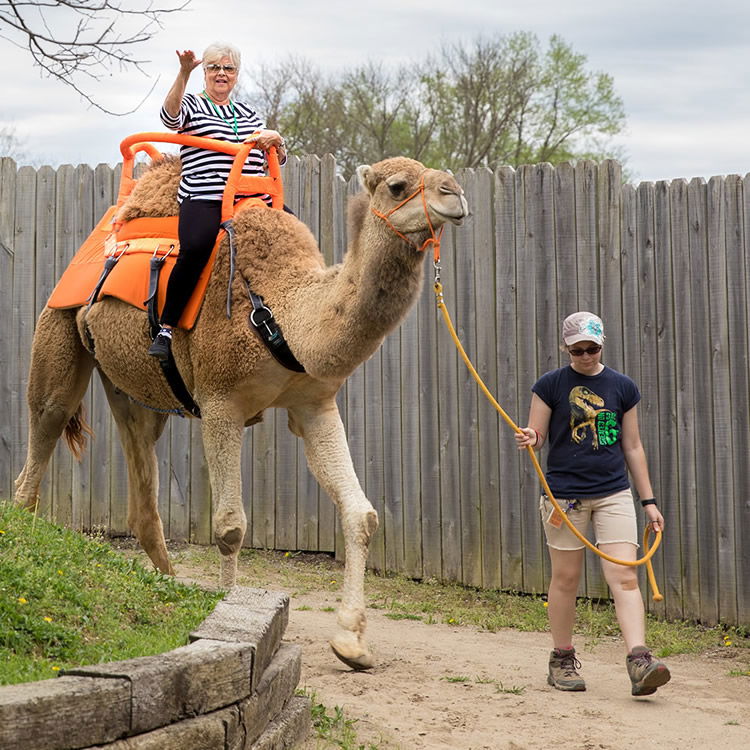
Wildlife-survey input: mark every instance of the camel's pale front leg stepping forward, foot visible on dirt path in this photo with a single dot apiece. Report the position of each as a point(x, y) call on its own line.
point(328, 457)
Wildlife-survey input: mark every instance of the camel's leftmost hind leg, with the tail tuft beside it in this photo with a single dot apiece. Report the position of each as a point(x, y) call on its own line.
point(58, 377)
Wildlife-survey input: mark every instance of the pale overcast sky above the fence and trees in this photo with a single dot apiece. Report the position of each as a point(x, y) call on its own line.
point(681, 68)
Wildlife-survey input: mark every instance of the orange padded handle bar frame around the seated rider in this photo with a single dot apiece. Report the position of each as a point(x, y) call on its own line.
point(270, 184)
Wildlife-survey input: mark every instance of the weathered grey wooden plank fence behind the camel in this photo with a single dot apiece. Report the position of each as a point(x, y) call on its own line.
point(666, 266)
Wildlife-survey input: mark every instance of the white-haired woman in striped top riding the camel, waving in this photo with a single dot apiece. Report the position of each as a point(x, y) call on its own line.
point(212, 114)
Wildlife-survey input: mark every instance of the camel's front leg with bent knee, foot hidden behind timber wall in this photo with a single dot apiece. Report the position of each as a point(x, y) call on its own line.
point(222, 444)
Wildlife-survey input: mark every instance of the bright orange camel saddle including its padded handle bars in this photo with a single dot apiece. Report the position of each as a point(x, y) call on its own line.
point(136, 242)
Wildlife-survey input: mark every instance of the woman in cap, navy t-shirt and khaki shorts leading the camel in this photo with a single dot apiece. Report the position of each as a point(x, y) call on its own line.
point(587, 413)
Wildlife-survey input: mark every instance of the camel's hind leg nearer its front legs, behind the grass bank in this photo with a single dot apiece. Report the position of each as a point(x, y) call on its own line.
point(139, 429)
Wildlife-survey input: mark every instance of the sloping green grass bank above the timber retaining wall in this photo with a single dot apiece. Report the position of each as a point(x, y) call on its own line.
point(67, 600)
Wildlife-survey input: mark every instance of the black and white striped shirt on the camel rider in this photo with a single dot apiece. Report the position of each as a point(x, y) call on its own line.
point(205, 172)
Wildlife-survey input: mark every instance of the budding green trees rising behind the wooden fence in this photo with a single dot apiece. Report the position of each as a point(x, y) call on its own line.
point(495, 101)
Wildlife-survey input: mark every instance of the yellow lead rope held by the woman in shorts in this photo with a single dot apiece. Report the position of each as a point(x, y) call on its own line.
point(649, 551)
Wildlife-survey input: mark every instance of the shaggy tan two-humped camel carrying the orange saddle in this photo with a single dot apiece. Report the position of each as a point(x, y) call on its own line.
point(333, 318)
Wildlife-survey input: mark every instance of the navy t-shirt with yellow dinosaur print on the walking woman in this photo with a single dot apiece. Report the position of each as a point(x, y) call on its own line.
point(585, 433)
